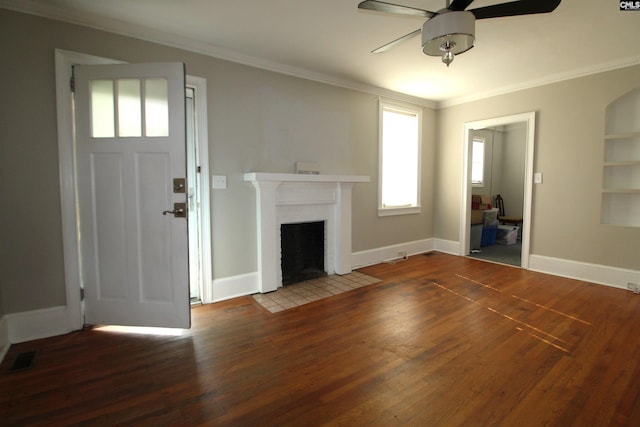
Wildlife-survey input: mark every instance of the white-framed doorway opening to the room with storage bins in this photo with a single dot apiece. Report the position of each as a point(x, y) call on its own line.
point(501, 160)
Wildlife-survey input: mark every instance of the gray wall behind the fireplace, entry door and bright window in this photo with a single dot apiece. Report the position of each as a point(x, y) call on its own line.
point(258, 121)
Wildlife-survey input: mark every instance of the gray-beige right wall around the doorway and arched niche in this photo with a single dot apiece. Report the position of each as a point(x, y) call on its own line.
point(570, 117)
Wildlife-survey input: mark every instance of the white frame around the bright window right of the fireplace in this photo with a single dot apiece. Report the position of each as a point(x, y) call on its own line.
point(403, 109)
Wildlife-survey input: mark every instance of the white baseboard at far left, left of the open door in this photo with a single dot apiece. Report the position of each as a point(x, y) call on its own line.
point(37, 324)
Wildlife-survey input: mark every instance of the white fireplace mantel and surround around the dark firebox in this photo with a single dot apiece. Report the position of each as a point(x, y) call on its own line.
point(283, 198)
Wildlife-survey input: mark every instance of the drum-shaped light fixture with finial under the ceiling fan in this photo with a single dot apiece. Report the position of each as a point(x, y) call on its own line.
point(448, 34)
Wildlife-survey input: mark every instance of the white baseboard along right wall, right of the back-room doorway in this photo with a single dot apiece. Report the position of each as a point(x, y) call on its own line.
point(594, 273)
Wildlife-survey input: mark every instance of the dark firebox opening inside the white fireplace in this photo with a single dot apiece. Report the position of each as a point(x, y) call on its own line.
point(302, 247)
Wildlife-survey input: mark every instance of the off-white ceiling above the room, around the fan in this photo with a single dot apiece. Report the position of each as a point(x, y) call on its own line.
point(331, 40)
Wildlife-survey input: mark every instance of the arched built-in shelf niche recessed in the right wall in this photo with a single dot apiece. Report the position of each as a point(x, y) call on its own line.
point(621, 165)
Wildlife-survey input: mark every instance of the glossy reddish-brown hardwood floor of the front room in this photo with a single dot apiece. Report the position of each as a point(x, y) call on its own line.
point(440, 341)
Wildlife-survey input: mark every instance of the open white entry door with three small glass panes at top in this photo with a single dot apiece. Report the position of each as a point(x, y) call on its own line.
point(130, 149)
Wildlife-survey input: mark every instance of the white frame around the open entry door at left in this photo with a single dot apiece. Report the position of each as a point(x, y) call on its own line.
point(64, 60)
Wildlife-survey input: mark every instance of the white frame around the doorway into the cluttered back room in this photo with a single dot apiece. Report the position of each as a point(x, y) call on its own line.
point(465, 205)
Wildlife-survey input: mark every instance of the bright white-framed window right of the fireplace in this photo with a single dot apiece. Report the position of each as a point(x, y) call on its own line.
point(400, 136)
